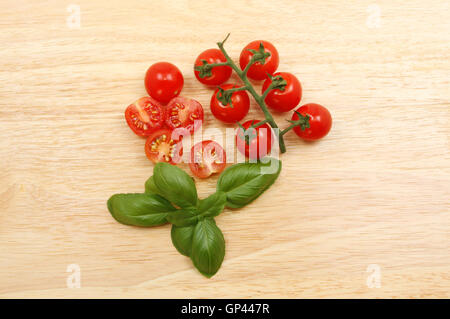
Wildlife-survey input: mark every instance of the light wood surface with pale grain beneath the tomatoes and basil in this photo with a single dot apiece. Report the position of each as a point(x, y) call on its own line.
point(376, 191)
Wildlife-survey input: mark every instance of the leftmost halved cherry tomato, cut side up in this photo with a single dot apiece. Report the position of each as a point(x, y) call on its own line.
point(145, 116)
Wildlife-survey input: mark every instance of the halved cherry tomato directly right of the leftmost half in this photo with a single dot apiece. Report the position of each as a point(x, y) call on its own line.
point(184, 112)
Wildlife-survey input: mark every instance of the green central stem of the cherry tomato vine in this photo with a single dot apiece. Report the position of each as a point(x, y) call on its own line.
point(249, 87)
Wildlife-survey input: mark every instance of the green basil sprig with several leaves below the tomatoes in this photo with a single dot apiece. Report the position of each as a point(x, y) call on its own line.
point(171, 196)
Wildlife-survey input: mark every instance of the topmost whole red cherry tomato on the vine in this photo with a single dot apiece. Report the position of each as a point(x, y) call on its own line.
point(259, 71)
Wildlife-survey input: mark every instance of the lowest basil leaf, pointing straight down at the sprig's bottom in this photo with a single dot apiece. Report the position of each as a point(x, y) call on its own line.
point(208, 247)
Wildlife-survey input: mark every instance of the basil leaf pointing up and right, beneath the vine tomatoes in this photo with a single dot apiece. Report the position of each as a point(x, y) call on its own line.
point(244, 182)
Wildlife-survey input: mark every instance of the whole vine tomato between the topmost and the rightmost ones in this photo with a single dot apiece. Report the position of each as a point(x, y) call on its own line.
point(286, 100)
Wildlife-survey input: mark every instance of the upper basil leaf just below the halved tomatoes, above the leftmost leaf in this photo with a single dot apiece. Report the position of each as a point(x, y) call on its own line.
point(175, 185)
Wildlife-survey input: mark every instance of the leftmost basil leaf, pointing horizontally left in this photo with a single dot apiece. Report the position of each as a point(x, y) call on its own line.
point(139, 209)
